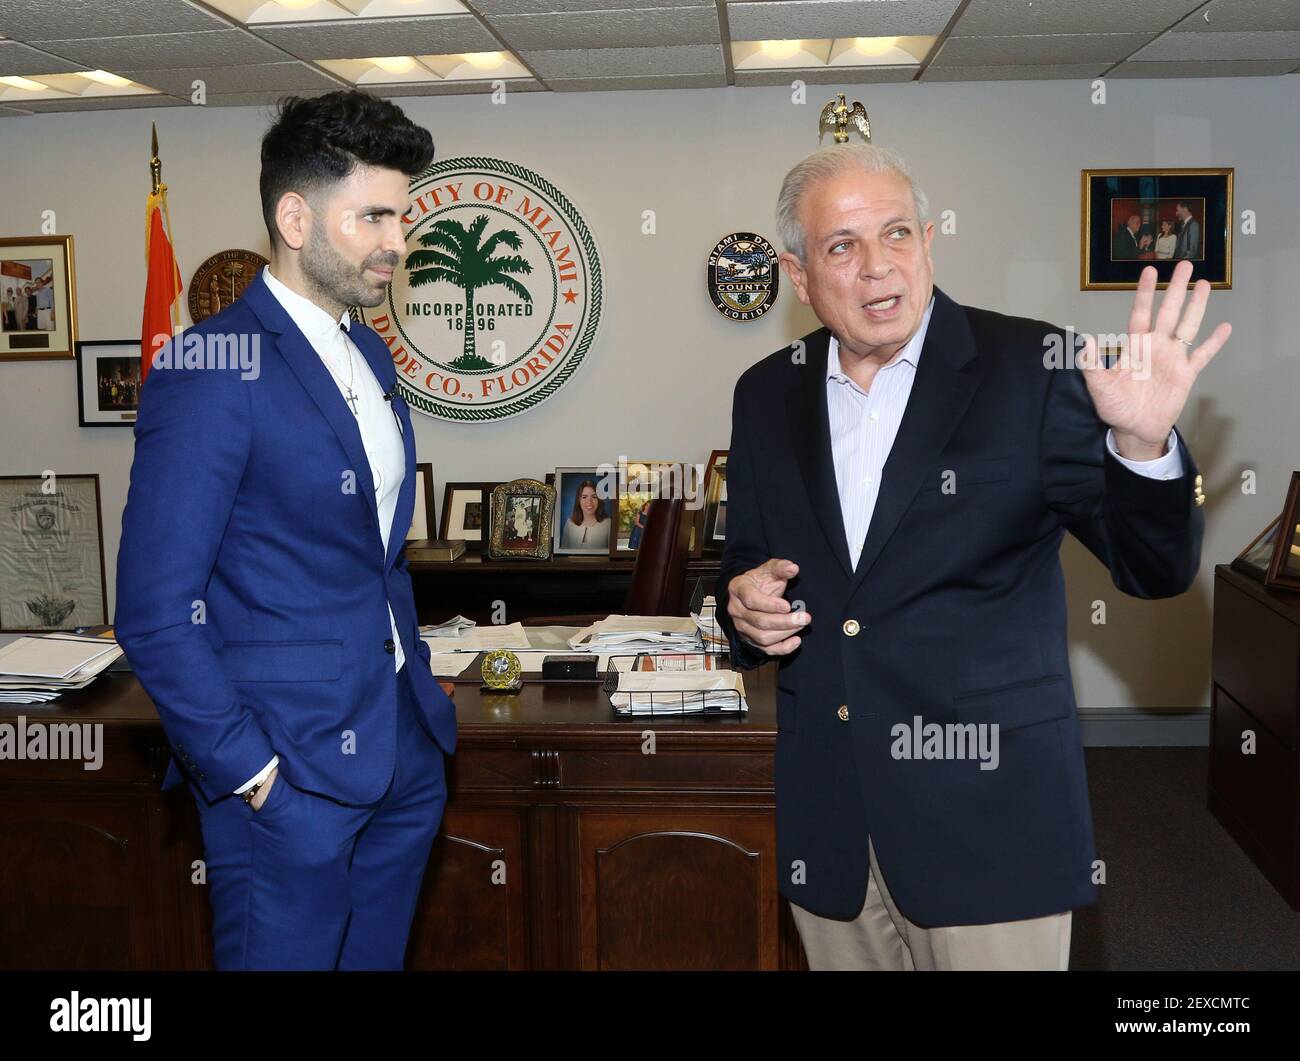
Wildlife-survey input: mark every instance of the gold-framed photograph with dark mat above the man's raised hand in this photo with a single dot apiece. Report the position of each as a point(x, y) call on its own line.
point(1138, 218)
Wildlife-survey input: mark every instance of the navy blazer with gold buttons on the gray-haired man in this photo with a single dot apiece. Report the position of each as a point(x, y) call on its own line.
point(961, 618)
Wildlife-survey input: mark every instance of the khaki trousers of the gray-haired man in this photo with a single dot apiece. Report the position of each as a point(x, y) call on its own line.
point(882, 938)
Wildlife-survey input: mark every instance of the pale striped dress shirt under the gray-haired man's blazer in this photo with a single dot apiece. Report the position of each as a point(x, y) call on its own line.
point(864, 427)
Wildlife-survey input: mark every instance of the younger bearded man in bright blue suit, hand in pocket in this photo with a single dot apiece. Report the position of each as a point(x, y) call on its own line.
point(259, 594)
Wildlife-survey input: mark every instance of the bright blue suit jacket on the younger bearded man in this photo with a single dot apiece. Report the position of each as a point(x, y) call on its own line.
point(253, 587)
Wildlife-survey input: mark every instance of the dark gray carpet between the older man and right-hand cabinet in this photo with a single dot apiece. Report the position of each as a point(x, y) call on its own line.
point(1180, 893)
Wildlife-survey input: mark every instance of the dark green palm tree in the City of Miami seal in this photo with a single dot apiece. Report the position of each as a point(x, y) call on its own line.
point(456, 254)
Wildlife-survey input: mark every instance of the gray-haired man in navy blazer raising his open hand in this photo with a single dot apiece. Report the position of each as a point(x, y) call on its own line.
point(900, 483)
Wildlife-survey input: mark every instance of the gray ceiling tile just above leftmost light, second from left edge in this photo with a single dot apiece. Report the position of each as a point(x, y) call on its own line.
point(167, 51)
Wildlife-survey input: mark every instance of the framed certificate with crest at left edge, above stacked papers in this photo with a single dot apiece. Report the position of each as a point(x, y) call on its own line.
point(51, 553)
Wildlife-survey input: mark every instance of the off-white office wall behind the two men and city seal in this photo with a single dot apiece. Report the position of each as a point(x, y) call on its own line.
point(1006, 157)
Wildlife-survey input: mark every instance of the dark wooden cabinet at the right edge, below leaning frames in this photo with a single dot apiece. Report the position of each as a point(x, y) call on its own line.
point(1255, 768)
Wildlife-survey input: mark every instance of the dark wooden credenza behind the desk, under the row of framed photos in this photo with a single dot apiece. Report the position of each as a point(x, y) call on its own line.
point(562, 586)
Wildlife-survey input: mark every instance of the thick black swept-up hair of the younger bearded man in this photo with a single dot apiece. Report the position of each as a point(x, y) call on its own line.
point(317, 142)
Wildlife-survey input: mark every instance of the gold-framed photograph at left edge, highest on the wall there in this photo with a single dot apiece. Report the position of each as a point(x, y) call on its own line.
point(38, 298)
